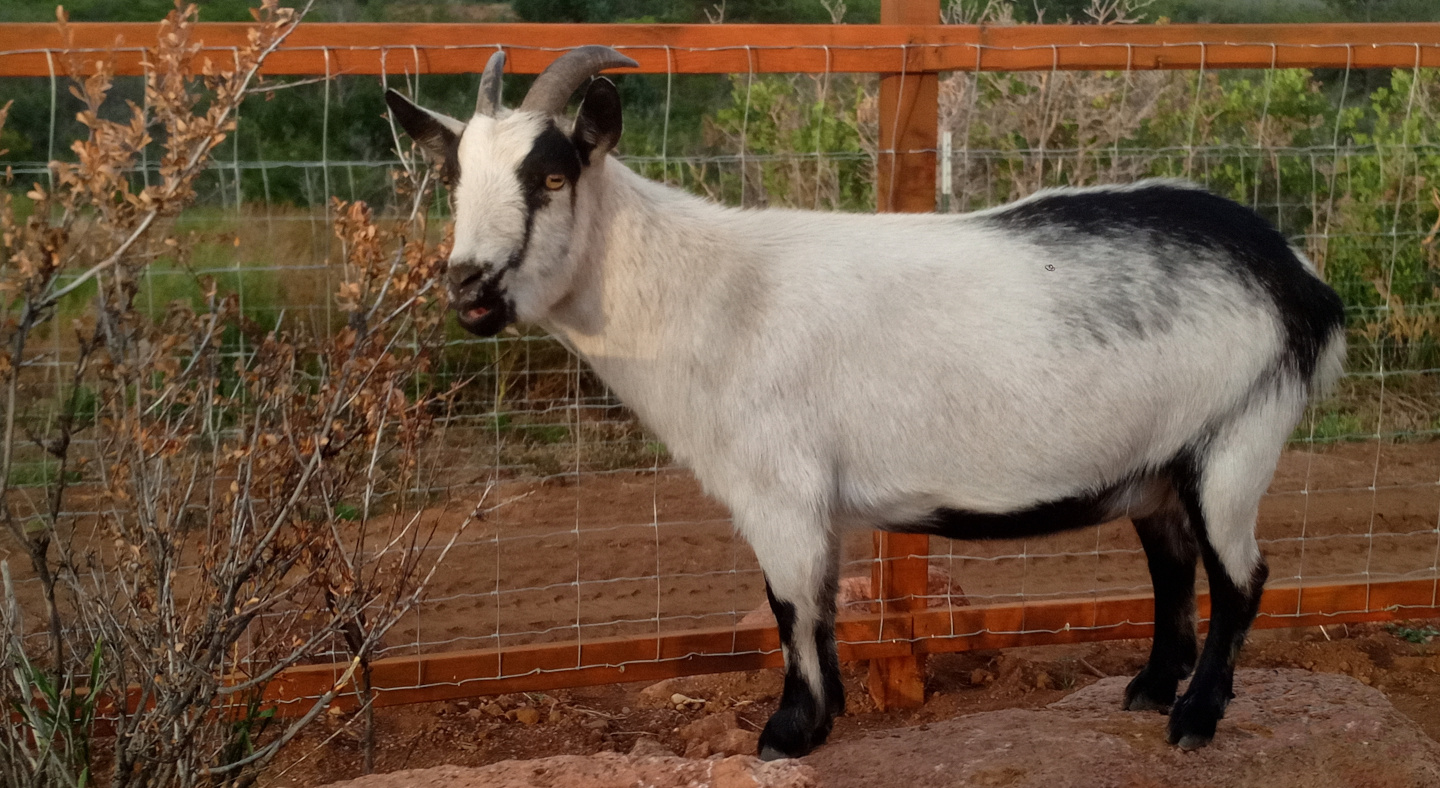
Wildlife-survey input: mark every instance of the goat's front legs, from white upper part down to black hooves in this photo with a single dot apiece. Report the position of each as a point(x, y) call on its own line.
point(801, 568)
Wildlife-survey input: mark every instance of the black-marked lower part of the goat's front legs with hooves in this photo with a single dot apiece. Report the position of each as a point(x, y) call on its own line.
point(814, 694)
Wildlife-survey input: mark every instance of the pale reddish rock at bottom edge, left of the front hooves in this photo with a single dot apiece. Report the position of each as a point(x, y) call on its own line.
point(607, 770)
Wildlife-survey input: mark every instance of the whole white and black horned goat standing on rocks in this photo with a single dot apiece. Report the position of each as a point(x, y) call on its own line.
point(1061, 362)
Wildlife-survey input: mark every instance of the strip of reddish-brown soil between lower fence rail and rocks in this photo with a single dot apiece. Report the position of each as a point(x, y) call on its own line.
point(616, 718)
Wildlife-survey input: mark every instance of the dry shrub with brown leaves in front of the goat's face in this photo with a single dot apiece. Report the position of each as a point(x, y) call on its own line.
point(228, 499)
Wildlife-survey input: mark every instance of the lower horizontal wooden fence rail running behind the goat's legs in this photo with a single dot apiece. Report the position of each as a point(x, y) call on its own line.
point(427, 678)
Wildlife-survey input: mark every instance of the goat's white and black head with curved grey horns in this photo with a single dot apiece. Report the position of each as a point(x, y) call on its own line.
point(515, 179)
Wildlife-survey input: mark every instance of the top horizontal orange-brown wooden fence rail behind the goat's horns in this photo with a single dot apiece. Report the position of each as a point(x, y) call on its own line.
point(318, 50)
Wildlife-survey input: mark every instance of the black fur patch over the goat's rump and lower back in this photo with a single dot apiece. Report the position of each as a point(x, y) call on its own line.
point(1163, 215)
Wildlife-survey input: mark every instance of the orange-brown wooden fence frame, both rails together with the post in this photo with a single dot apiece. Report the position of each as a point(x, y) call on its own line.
point(908, 51)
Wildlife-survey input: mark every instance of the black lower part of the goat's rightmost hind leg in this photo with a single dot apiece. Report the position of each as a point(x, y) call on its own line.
point(1232, 610)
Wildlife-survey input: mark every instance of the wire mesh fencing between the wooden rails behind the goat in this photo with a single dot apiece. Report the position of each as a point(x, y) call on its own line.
point(594, 537)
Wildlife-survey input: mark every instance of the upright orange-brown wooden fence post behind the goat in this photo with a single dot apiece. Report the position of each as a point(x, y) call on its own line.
point(909, 122)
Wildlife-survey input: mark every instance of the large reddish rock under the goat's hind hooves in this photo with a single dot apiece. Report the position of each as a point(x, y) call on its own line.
point(1285, 730)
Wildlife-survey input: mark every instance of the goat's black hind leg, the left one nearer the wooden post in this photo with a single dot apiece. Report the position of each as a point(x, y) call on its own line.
point(1171, 552)
